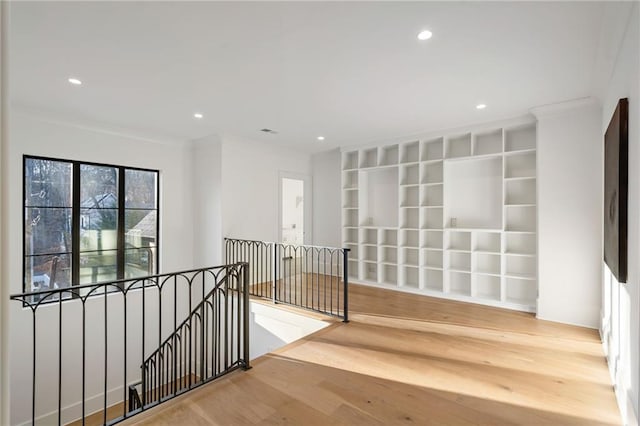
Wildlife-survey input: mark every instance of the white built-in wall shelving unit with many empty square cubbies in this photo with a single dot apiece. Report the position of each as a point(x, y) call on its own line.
point(451, 216)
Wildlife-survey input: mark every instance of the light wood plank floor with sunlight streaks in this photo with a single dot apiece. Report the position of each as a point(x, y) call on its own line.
point(407, 359)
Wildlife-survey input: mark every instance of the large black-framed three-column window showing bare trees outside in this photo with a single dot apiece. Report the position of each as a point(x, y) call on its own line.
point(88, 223)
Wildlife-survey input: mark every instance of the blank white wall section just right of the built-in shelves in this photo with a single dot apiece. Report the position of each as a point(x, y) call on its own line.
point(570, 159)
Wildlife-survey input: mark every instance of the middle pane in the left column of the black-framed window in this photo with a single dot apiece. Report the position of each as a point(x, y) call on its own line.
point(47, 231)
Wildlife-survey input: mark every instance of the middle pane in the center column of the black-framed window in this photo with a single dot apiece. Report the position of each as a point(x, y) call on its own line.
point(98, 229)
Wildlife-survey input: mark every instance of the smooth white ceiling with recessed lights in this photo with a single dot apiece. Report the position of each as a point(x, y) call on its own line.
point(352, 72)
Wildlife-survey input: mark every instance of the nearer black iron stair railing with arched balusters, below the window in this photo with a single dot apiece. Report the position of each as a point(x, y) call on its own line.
point(211, 340)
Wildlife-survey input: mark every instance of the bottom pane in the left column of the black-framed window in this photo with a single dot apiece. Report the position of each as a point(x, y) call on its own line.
point(50, 271)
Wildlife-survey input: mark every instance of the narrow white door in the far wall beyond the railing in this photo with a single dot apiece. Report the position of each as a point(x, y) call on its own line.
point(295, 209)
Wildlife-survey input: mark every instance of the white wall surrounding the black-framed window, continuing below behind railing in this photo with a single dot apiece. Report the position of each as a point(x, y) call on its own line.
point(30, 135)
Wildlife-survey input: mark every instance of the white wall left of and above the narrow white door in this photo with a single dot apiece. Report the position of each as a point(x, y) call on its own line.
point(250, 181)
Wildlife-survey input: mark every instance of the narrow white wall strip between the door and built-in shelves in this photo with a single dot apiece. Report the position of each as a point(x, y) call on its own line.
point(326, 198)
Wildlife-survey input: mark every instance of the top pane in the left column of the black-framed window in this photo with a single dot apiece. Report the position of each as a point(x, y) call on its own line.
point(47, 183)
